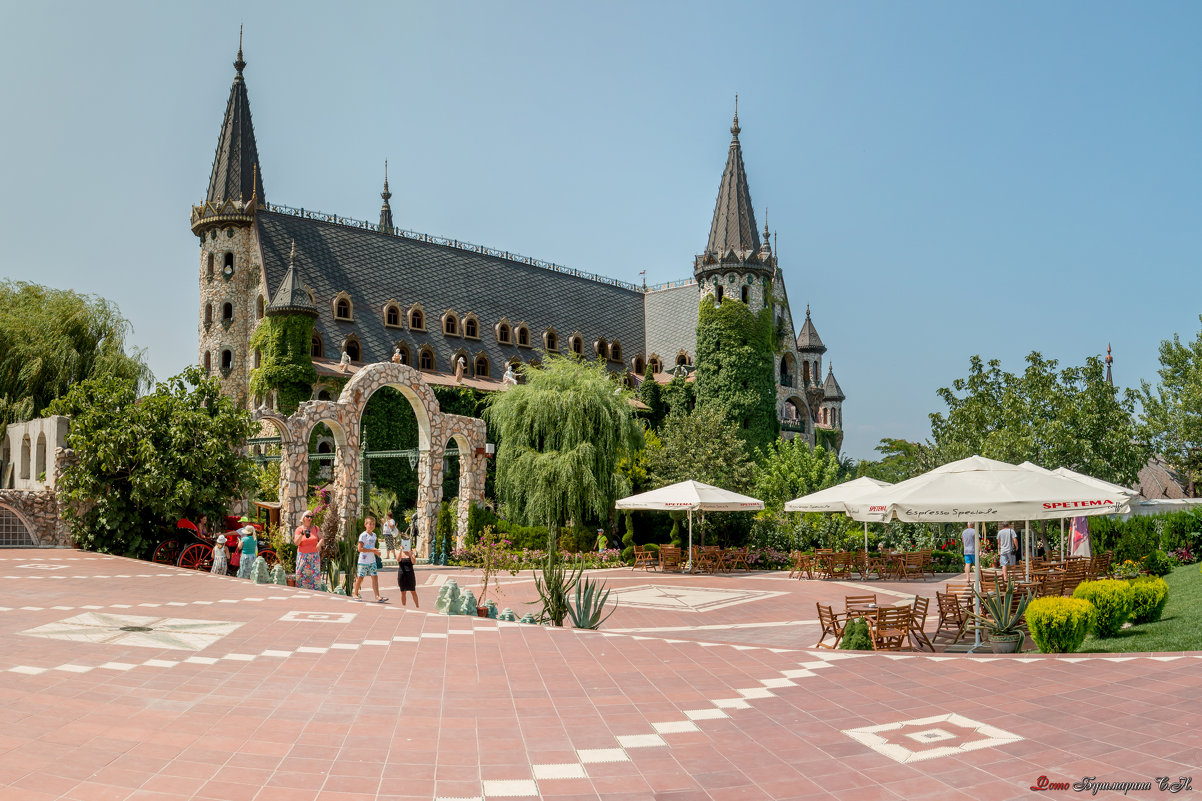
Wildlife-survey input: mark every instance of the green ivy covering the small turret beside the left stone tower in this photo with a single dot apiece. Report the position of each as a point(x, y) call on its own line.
point(285, 366)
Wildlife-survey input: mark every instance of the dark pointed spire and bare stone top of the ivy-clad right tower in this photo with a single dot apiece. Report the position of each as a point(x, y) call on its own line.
point(735, 265)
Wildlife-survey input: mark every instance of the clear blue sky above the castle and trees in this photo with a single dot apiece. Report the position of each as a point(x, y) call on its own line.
point(945, 179)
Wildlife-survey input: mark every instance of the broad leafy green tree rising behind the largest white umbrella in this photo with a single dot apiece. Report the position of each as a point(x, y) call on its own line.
point(1072, 418)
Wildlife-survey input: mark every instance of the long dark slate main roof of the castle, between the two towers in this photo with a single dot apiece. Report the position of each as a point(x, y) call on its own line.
point(374, 269)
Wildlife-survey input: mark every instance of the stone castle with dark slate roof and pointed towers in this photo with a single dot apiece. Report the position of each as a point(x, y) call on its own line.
point(444, 306)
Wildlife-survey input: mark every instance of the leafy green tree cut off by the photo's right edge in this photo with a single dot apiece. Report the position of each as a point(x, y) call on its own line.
point(1173, 412)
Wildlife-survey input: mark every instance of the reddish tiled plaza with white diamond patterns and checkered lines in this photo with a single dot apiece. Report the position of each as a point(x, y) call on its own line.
point(124, 680)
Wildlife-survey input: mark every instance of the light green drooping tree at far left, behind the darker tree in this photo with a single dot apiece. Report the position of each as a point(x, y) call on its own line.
point(52, 340)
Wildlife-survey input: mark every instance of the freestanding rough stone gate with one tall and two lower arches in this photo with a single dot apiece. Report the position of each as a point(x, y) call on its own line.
point(436, 430)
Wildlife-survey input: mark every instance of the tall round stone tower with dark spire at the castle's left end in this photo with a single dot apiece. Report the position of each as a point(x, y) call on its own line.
point(230, 278)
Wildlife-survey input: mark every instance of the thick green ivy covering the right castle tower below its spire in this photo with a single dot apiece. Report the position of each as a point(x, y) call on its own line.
point(736, 369)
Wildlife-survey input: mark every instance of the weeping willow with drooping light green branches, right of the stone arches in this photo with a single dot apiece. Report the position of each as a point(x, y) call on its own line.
point(562, 435)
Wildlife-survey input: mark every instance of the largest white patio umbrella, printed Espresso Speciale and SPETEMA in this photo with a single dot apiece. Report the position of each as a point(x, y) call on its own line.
point(983, 490)
